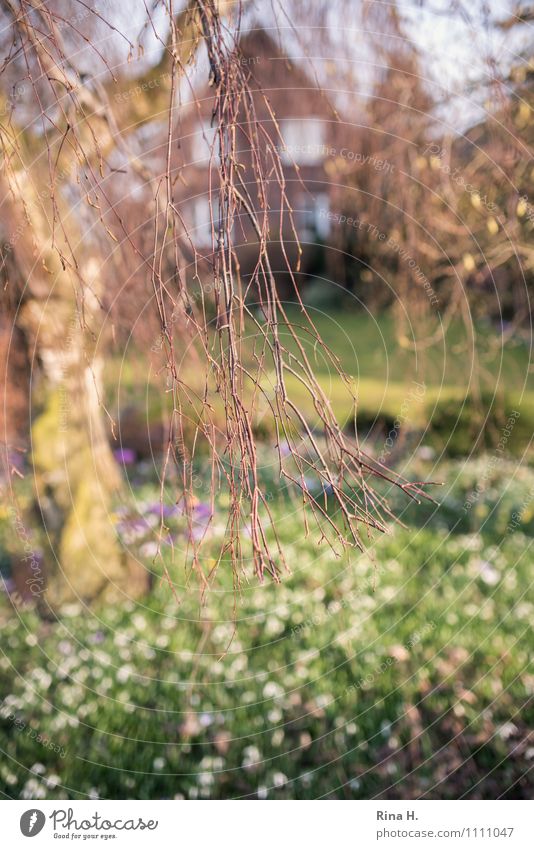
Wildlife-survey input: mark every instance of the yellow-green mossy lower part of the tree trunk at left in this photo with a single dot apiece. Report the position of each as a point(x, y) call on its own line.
point(76, 481)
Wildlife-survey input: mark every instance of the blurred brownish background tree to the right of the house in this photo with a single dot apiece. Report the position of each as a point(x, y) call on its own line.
point(451, 201)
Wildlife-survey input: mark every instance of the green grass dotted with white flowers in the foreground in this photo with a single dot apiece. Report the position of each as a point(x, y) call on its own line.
point(402, 672)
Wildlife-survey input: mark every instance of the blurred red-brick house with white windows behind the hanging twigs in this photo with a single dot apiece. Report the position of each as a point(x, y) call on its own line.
point(301, 124)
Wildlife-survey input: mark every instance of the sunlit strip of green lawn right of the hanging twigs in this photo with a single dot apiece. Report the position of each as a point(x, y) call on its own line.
point(385, 360)
